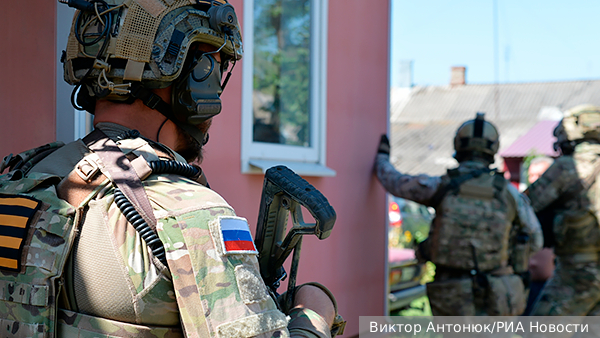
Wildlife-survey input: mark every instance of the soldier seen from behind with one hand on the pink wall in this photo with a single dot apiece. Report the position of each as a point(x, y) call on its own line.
point(473, 238)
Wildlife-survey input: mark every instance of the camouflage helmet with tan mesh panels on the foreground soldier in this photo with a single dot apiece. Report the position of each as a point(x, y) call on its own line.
point(146, 41)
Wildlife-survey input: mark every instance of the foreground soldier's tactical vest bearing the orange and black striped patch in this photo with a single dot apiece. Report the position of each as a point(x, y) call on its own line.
point(37, 231)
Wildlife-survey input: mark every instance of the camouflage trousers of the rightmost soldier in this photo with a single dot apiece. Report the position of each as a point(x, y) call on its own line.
point(573, 290)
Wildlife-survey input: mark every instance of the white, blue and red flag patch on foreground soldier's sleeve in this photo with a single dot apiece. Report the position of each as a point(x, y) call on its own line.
point(235, 235)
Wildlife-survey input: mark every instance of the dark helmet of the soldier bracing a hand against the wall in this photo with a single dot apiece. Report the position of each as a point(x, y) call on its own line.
point(476, 139)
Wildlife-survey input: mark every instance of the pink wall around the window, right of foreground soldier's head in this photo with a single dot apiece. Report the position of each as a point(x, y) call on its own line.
point(351, 262)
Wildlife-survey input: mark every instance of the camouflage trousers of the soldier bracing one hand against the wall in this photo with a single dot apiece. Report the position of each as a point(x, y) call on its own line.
point(502, 296)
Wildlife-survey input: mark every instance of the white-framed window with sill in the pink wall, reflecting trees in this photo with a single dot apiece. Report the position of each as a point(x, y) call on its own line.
point(284, 99)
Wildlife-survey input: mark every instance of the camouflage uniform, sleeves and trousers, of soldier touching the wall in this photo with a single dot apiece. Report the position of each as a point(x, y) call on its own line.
point(455, 291)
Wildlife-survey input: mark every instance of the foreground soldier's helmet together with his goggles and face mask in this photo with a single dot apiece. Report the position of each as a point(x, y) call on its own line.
point(121, 49)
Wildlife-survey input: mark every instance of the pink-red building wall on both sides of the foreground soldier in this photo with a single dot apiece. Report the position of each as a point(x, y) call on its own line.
point(351, 262)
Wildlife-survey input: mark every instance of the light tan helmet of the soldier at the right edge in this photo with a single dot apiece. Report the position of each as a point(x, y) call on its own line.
point(579, 123)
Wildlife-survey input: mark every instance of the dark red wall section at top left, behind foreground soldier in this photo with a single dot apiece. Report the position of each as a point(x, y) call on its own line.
point(27, 65)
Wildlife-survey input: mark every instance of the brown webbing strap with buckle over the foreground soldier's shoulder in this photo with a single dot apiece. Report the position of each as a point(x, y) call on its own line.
point(121, 172)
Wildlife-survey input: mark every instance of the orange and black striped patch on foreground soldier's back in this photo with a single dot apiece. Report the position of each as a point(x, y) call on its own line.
point(16, 213)
